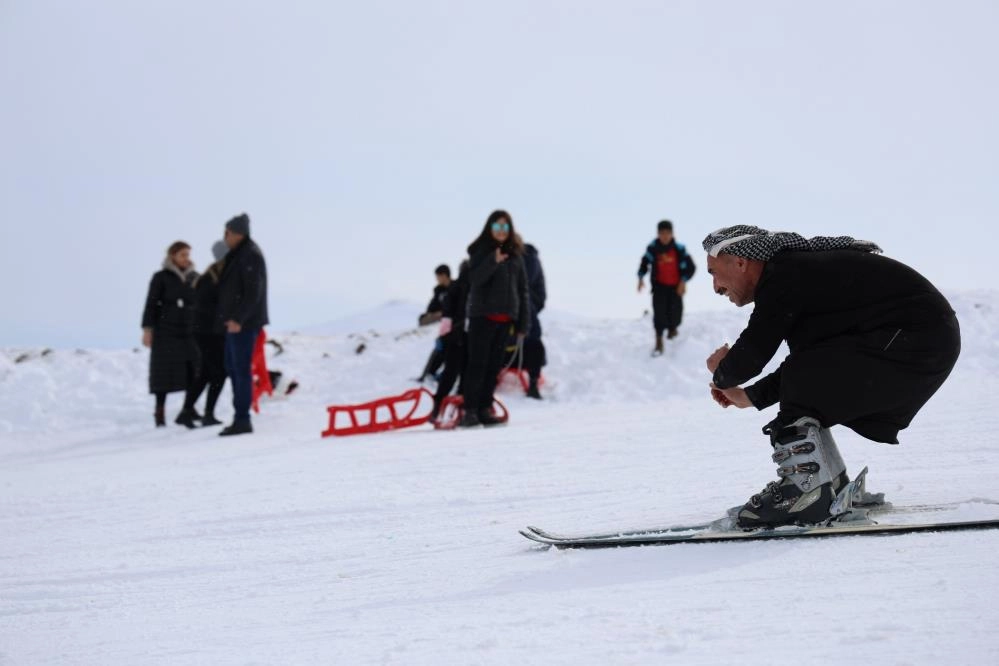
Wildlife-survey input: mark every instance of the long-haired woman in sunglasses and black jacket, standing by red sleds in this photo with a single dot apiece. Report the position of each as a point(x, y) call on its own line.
point(497, 297)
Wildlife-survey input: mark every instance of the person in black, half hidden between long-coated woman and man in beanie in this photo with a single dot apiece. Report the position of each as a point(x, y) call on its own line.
point(211, 344)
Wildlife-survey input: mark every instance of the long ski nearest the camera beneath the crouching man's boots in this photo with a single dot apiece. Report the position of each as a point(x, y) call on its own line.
point(705, 533)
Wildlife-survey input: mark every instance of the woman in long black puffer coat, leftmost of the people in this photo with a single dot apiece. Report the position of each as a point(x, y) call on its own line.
point(168, 327)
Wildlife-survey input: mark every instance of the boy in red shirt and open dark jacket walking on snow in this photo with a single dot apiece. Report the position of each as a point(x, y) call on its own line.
point(671, 268)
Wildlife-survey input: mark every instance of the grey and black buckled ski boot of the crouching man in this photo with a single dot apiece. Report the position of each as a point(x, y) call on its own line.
point(811, 474)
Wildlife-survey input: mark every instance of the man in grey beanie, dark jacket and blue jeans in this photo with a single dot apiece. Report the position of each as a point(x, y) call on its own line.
point(242, 313)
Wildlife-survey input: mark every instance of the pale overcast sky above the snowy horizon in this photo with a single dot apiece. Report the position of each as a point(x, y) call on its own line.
point(368, 141)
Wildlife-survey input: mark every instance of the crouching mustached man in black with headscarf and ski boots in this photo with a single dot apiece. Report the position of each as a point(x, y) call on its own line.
point(870, 339)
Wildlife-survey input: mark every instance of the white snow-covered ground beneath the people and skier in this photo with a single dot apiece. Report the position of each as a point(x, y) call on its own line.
point(123, 544)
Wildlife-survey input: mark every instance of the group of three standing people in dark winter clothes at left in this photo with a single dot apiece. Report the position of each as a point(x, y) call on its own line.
point(203, 328)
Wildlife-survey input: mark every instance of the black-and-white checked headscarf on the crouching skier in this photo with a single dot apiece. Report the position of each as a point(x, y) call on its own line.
point(744, 240)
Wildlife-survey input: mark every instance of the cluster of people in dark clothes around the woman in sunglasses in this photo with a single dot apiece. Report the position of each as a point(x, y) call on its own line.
point(500, 289)
